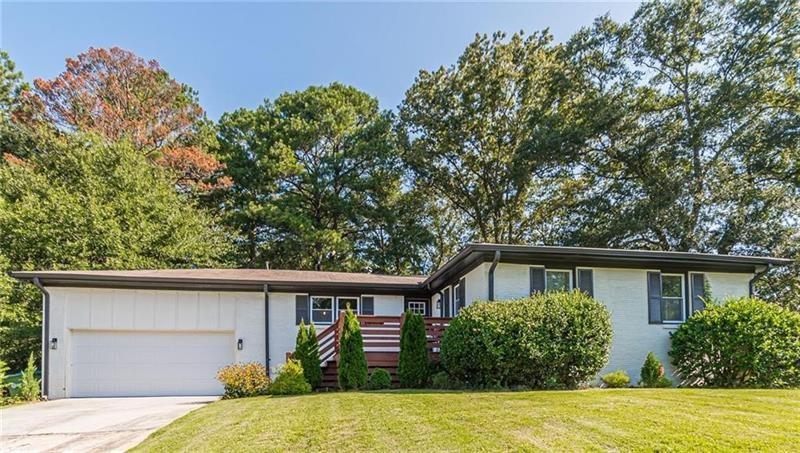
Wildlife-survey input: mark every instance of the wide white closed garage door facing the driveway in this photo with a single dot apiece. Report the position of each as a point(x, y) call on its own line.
point(148, 363)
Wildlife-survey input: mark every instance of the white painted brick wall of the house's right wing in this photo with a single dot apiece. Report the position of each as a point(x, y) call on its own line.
point(624, 293)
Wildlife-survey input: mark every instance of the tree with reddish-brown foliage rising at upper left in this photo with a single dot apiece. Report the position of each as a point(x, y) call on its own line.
point(118, 95)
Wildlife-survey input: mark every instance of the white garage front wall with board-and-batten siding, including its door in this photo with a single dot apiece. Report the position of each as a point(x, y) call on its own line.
point(120, 342)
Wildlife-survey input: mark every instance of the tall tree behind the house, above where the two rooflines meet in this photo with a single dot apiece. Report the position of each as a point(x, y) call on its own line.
point(489, 135)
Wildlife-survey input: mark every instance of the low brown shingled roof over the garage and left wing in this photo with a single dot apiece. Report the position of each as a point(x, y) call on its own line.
point(232, 275)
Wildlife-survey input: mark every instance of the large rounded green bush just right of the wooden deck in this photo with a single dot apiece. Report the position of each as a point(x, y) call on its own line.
point(551, 340)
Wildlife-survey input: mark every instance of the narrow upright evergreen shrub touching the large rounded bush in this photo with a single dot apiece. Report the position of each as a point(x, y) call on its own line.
point(413, 366)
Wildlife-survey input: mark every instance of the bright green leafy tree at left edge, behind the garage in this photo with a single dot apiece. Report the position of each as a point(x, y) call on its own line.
point(80, 202)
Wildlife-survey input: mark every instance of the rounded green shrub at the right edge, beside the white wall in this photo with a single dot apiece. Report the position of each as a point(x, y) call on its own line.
point(743, 342)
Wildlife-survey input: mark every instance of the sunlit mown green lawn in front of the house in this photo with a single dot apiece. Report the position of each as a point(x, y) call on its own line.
point(629, 419)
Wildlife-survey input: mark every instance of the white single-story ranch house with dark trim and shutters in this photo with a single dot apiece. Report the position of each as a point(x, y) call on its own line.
point(167, 332)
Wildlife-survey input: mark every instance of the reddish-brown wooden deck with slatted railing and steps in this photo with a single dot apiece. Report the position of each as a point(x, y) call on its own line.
point(381, 344)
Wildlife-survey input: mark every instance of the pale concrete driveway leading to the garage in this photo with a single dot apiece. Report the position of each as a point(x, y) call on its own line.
point(90, 424)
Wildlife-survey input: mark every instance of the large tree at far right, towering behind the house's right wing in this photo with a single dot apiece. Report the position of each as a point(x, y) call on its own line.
point(698, 150)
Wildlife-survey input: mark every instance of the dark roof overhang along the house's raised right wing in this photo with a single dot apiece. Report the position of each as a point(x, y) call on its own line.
point(475, 254)
